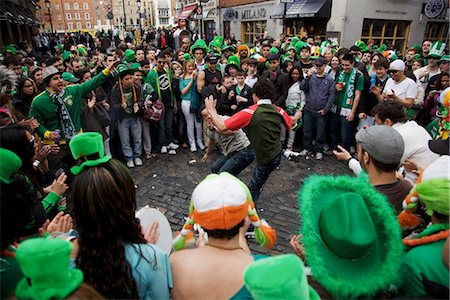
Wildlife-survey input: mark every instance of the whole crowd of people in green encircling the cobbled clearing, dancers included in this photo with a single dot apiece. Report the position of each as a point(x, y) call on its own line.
point(80, 112)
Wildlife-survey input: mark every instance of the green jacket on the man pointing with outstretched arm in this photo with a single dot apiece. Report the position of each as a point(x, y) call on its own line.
point(45, 111)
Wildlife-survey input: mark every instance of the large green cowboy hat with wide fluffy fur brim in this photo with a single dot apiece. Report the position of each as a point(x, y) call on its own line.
point(351, 236)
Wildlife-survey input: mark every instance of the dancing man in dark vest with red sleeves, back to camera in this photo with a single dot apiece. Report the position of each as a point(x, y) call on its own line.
point(263, 123)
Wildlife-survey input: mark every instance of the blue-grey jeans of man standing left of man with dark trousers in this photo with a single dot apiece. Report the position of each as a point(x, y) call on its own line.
point(133, 126)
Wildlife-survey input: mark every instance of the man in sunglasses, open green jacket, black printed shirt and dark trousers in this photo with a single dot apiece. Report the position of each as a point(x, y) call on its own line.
point(161, 81)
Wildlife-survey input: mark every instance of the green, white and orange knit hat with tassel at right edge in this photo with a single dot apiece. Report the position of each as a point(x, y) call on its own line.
point(433, 189)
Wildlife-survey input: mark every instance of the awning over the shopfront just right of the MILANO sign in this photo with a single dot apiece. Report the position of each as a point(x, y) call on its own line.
point(309, 9)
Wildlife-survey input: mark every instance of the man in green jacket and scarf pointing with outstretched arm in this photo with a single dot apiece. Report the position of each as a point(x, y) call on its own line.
point(58, 111)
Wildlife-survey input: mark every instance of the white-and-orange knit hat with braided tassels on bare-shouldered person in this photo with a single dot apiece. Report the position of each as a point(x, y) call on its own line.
point(221, 201)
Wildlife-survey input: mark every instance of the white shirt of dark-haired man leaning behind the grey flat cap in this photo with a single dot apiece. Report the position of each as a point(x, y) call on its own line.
point(416, 150)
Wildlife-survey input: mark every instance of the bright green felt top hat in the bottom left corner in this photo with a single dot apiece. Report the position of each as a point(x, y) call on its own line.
point(45, 266)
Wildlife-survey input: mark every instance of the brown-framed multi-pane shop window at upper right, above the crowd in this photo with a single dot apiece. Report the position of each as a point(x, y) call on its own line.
point(392, 33)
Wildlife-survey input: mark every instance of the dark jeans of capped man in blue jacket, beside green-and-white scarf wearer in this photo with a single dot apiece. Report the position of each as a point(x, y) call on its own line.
point(314, 121)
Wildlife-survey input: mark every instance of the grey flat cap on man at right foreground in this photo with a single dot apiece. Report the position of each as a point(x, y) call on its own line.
point(382, 142)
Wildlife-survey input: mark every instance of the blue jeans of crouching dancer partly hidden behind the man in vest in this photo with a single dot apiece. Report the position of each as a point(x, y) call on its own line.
point(235, 162)
